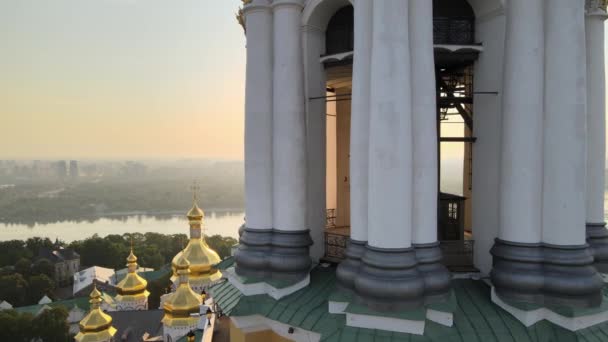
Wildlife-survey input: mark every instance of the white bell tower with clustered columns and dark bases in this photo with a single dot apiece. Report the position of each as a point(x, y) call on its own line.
point(345, 106)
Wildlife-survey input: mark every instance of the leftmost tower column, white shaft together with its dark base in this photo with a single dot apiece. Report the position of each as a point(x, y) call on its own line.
point(256, 235)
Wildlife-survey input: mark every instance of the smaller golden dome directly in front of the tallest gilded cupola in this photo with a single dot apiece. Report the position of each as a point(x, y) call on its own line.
point(181, 304)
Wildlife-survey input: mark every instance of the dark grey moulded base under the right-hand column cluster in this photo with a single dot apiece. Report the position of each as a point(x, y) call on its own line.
point(545, 275)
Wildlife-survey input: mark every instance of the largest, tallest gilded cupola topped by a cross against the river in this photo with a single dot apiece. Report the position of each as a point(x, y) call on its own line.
point(200, 256)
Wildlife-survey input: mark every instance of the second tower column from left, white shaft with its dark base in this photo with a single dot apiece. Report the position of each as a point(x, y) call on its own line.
point(290, 259)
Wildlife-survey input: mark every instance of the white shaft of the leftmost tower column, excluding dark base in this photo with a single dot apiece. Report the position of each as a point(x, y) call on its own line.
point(258, 115)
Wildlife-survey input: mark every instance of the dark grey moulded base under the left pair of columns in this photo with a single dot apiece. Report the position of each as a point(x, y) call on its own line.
point(273, 254)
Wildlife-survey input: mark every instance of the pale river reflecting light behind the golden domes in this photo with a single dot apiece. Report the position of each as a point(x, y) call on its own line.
point(225, 223)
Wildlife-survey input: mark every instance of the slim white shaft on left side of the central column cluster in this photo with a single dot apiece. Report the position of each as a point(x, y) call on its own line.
point(359, 121)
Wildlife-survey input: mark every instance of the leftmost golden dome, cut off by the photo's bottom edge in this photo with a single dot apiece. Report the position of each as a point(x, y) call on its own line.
point(96, 326)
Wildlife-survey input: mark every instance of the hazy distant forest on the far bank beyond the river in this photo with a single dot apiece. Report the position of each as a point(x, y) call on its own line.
point(153, 190)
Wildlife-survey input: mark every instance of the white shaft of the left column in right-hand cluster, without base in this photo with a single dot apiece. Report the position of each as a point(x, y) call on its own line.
point(520, 194)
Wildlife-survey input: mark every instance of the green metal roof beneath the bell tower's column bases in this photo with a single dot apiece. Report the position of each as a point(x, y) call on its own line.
point(476, 318)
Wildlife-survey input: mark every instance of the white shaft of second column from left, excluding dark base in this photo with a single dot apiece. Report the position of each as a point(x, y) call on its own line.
point(289, 146)
